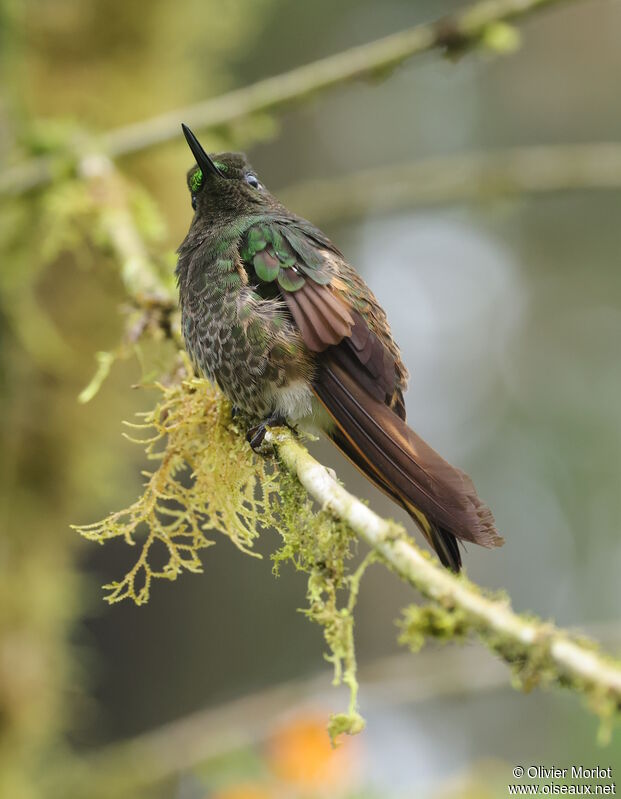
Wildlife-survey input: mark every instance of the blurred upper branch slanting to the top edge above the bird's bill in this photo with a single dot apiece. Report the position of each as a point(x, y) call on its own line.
point(454, 34)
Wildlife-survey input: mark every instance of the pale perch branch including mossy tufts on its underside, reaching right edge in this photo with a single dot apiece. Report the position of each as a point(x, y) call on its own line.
point(538, 652)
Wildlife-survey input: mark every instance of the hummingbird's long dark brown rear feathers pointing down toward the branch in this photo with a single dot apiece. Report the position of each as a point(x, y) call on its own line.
point(440, 498)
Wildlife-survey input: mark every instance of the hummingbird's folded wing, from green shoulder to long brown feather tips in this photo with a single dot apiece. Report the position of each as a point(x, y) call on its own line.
point(359, 380)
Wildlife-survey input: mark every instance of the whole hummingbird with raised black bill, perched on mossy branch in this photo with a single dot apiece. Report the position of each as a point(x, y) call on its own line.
point(276, 316)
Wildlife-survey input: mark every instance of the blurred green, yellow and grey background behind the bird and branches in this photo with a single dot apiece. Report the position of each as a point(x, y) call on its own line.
point(508, 312)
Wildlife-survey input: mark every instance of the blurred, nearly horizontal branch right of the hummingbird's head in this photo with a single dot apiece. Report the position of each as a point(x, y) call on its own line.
point(446, 179)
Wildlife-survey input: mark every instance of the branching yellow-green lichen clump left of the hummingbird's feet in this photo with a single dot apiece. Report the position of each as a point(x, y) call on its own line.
point(206, 479)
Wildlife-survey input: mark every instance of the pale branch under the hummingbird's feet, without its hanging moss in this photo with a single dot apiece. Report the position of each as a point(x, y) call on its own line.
point(517, 640)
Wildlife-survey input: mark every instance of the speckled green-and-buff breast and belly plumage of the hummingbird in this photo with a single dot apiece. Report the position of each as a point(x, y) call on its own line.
point(245, 343)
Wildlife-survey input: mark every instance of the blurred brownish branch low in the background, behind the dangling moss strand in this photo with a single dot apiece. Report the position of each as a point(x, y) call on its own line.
point(179, 746)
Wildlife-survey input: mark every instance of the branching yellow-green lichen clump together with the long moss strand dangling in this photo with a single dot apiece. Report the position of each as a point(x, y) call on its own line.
point(208, 479)
